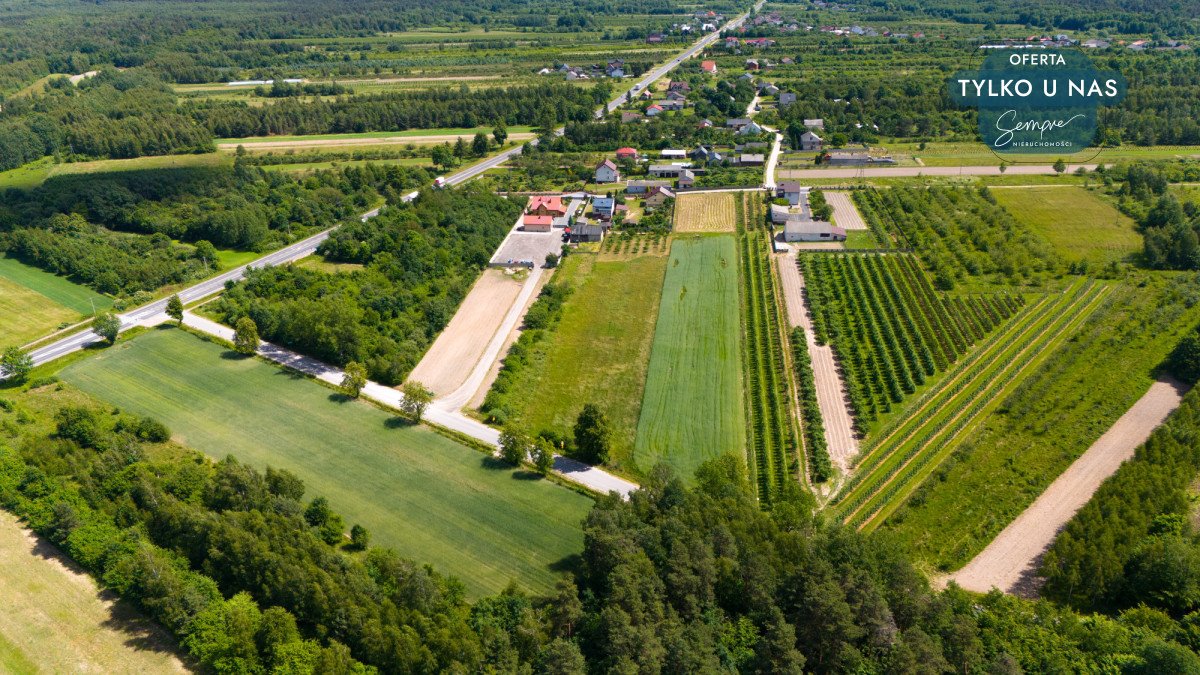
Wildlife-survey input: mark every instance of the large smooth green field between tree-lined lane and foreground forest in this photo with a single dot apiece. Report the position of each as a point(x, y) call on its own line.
point(431, 499)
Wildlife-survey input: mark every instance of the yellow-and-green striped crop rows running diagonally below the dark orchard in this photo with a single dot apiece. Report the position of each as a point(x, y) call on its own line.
point(890, 471)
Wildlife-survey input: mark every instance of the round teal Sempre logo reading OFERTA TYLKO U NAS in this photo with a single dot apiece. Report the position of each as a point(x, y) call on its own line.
point(1037, 103)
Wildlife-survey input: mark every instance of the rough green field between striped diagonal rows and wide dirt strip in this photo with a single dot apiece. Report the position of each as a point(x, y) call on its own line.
point(1067, 403)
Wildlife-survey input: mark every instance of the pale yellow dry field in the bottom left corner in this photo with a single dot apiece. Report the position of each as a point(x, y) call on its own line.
point(56, 619)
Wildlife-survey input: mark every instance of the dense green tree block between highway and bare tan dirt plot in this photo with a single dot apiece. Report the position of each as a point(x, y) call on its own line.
point(419, 262)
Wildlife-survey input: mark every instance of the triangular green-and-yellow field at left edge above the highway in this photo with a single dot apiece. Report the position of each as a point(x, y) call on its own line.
point(35, 303)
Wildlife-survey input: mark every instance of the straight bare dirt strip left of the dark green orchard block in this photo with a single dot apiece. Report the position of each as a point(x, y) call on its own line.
point(831, 393)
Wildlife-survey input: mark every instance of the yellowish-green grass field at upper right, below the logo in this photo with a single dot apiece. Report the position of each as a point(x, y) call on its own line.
point(1078, 224)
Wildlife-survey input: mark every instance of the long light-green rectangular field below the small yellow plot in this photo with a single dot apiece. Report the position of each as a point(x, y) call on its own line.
point(693, 410)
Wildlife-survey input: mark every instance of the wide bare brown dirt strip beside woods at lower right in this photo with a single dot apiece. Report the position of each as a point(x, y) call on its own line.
point(1011, 560)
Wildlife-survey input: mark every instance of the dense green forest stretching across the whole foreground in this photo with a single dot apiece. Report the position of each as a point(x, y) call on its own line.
point(254, 576)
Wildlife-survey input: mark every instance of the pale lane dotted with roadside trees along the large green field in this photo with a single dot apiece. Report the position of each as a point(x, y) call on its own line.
point(590, 477)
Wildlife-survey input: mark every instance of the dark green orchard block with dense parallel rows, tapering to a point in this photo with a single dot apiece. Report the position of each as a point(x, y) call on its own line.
point(890, 330)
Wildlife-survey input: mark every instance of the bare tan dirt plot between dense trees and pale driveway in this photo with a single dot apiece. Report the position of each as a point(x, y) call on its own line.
point(460, 347)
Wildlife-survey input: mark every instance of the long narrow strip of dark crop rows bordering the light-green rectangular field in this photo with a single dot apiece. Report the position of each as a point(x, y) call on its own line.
point(771, 433)
